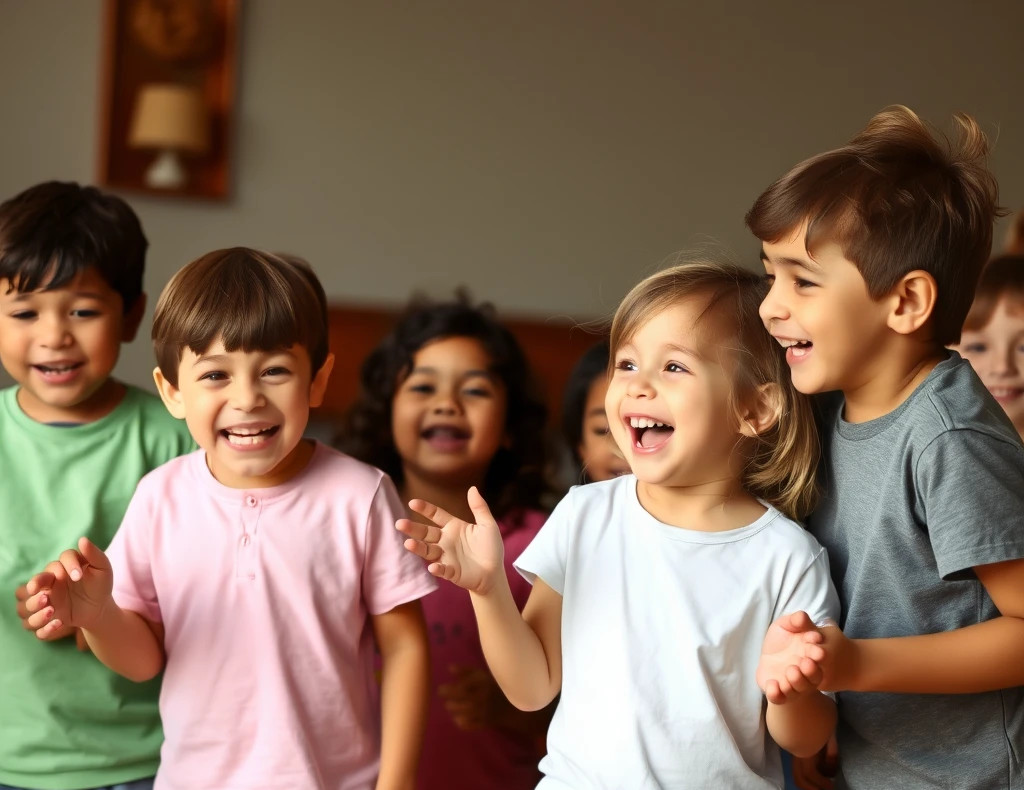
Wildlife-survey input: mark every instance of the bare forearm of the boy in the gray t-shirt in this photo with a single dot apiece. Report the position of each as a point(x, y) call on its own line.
point(977, 658)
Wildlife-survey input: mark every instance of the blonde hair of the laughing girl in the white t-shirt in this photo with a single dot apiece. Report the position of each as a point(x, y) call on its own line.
point(782, 461)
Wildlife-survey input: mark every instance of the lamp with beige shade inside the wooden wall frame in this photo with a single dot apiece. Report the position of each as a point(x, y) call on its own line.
point(172, 118)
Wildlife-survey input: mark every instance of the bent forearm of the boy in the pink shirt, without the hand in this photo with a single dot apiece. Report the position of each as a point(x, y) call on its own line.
point(125, 642)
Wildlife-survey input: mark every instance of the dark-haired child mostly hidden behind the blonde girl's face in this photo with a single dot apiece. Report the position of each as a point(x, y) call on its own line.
point(585, 425)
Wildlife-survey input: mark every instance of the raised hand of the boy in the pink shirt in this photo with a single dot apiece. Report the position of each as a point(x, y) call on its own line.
point(71, 593)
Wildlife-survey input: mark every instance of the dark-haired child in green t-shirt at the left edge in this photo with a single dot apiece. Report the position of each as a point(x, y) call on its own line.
point(74, 443)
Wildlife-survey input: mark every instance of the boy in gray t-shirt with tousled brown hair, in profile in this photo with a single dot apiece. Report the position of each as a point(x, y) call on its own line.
point(874, 252)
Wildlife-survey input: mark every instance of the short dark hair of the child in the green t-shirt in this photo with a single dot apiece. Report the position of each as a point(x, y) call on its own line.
point(54, 231)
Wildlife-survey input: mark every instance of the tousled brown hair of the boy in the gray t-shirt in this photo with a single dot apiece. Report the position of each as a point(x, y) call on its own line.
point(897, 199)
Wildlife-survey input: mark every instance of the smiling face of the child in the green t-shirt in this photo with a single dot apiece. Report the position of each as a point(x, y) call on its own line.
point(61, 347)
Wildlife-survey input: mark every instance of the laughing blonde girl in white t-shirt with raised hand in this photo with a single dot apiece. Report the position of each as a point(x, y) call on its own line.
point(653, 593)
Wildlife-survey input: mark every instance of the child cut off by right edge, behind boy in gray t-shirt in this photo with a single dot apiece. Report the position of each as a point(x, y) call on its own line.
point(993, 340)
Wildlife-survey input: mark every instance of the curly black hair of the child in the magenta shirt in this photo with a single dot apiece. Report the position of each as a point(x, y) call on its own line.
point(516, 478)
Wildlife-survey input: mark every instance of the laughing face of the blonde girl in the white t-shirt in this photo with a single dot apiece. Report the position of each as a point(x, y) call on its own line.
point(669, 401)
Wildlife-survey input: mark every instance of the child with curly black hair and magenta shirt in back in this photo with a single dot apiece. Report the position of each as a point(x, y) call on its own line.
point(448, 403)
